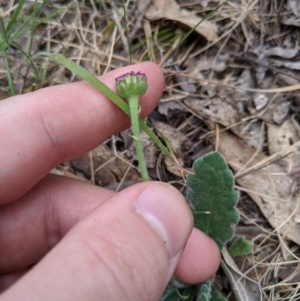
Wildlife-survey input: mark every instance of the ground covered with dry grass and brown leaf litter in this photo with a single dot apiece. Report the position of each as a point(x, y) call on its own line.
point(232, 86)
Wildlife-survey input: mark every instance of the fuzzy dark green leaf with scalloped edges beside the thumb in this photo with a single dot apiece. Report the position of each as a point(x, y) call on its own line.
point(213, 198)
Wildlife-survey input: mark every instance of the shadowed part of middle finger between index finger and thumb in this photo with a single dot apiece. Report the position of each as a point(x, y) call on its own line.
point(35, 223)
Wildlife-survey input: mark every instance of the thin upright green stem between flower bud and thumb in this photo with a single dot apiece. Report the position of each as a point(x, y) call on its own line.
point(134, 114)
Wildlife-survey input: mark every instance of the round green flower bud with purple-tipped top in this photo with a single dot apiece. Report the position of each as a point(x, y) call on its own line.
point(131, 84)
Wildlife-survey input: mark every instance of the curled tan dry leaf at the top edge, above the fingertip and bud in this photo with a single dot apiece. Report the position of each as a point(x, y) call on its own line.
point(169, 9)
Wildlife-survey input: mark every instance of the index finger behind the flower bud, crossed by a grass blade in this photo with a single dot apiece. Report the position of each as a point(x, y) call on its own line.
point(41, 129)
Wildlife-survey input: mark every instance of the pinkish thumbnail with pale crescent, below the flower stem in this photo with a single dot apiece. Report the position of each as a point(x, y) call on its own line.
point(167, 212)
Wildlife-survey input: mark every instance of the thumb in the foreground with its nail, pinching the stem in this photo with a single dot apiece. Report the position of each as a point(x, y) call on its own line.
point(125, 249)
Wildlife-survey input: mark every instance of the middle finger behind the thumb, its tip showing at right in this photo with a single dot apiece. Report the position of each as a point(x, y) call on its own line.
point(34, 224)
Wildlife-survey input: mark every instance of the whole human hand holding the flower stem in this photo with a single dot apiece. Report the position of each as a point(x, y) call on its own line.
point(85, 242)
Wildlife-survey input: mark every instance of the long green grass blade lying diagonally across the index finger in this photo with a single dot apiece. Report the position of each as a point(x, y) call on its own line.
point(115, 98)
